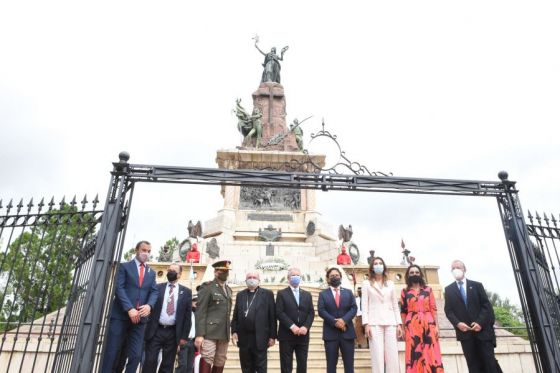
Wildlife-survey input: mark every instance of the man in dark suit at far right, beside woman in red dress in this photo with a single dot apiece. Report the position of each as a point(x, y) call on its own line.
point(467, 307)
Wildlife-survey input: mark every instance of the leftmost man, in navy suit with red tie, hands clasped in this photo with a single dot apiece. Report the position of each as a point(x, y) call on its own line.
point(136, 294)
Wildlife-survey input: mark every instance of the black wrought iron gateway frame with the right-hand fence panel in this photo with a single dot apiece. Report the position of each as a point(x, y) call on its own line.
point(79, 347)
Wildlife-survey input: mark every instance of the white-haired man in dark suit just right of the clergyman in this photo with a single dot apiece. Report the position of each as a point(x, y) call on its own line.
point(295, 313)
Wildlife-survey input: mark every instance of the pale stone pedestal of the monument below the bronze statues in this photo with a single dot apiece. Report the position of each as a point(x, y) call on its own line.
point(296, 234)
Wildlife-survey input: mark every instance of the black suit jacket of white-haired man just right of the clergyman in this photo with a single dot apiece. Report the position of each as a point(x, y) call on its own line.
point(289, 313)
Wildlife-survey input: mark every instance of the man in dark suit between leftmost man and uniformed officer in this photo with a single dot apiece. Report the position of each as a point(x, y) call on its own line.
point(169, 324)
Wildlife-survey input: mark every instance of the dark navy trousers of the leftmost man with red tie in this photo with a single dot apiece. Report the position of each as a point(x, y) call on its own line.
point(118, 332)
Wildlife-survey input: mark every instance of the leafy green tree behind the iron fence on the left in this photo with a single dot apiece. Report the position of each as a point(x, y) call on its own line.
point(38, 266)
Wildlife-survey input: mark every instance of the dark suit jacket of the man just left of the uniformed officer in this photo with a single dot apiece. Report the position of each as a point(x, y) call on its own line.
point(182, 313)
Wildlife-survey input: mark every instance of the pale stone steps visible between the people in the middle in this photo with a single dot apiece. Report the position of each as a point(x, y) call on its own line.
point(316, 362)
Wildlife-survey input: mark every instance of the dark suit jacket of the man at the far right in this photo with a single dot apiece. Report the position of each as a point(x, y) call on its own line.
point(478, 309)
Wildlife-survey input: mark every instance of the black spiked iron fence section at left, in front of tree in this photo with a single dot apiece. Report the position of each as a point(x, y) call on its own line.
point(44, 248)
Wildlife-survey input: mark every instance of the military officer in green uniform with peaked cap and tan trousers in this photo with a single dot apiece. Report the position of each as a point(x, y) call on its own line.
point(212, 320)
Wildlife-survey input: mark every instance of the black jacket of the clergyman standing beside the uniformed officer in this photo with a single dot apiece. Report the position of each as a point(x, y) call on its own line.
point(265, 318)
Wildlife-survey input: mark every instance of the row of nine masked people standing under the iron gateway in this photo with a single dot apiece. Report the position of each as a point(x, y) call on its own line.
point(148, 319)
